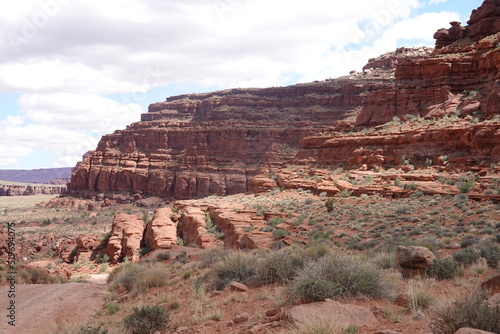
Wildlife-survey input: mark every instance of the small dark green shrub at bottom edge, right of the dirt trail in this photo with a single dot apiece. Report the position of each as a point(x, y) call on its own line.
point(146, 320)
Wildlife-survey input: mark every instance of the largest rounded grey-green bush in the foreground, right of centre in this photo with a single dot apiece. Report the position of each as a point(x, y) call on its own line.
point(336, 275)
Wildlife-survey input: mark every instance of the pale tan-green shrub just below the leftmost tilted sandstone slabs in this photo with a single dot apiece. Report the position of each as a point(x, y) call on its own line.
point(139, 277)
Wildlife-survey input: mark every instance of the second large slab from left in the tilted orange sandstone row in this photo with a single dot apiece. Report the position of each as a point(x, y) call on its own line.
point(161, 232)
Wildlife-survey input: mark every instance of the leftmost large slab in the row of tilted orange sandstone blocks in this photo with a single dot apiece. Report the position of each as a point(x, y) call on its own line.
point(126, 236)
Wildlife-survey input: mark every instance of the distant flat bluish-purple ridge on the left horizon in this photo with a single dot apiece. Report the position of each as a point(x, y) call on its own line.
point(34, 175)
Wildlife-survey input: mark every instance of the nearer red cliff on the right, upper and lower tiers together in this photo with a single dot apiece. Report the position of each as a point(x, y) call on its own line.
point(460, 79)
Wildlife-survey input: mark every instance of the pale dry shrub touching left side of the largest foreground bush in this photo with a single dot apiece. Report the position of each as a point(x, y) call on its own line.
point(279, 266)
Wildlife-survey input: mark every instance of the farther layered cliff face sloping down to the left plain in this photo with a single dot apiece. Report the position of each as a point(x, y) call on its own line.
point(202, 144)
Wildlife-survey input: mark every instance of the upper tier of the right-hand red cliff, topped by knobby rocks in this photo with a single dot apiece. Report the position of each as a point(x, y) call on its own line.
point(467, 60)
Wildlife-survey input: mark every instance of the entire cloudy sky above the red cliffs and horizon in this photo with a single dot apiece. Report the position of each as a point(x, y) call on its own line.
point(73, 70)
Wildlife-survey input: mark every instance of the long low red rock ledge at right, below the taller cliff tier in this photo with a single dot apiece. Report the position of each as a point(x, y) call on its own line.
point(463, 145)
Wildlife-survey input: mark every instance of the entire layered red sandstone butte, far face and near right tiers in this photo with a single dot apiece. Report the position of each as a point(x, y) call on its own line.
point(223, 142)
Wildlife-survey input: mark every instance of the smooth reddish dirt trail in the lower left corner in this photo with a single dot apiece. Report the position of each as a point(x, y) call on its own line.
point(43, 308)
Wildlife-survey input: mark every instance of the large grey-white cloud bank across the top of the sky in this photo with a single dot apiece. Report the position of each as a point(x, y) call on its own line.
point(104, 48)
